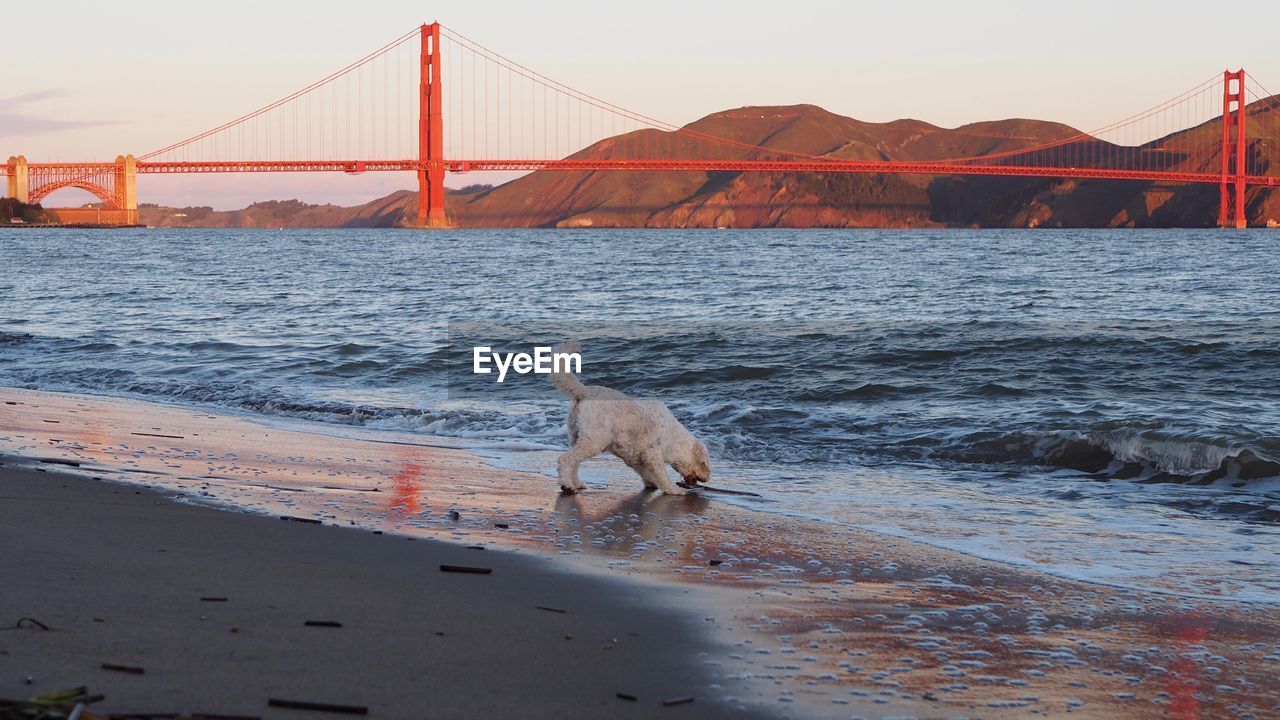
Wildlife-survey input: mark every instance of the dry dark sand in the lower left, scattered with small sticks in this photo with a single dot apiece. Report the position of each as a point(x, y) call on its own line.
point(118, 575)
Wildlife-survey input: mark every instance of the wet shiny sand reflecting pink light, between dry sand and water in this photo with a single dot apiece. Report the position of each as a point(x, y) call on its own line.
point(807, 619)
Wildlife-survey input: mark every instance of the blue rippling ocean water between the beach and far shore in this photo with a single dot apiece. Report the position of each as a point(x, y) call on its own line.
point(1101, 405)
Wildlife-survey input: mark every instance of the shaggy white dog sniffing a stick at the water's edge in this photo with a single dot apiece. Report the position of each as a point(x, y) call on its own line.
point(643, 434)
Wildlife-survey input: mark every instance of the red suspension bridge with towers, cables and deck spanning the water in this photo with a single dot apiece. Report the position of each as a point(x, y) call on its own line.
point(433, 102)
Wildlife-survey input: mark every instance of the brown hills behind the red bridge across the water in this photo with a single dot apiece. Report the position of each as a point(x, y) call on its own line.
point(755, 200)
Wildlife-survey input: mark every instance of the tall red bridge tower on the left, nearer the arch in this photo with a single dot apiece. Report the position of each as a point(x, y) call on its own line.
point(431, 134)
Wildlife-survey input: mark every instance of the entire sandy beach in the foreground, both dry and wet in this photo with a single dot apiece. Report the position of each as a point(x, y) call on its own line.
point(665, 598)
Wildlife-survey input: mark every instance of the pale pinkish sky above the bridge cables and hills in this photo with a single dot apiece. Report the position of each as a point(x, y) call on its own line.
point(90, 80)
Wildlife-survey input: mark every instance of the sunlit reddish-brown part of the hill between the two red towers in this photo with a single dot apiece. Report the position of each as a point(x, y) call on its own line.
point(756, 199)
